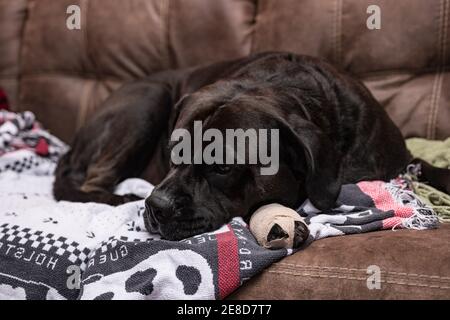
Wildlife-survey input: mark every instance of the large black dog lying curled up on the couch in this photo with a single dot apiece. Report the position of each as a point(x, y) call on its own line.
point(332, 131)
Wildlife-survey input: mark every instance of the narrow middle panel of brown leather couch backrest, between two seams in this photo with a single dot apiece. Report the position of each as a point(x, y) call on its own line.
point(200, 31)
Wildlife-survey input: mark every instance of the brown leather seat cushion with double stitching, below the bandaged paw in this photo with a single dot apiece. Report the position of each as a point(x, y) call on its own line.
point(413, 264)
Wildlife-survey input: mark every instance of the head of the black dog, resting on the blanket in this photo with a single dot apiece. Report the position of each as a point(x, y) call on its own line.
point(200, 196)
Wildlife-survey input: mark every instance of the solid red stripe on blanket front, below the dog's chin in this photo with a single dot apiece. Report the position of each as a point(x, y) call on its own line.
point(228, 262)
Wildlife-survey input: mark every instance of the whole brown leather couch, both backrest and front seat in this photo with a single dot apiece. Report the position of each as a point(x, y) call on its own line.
point(63, 75)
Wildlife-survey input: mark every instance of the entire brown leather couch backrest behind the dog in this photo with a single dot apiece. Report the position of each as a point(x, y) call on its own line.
point(63, 75)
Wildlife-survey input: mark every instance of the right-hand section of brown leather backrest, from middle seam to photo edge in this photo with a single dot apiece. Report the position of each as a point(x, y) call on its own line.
point(403, 63)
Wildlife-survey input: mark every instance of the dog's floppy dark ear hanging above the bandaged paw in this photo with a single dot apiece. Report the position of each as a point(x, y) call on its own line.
point(313, 155)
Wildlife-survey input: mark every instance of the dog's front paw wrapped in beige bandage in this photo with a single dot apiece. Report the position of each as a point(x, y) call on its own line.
point(275, 226)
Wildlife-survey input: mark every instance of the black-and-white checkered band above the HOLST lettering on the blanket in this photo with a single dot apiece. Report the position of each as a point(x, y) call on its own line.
point(46, 242)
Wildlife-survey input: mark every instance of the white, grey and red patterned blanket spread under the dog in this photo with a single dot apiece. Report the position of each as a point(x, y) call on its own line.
point(63, 250)
